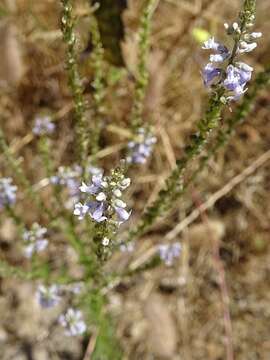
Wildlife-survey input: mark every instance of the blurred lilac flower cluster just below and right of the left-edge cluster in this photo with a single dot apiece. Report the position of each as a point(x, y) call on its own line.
point(34, 240)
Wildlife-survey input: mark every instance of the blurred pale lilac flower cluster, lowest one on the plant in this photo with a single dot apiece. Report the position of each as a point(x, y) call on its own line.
point(73, 322)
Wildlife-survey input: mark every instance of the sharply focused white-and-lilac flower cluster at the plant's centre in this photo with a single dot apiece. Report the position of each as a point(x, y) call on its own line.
point(104, 201)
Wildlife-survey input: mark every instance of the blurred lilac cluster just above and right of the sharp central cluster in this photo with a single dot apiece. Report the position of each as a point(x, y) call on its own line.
point(141, 147)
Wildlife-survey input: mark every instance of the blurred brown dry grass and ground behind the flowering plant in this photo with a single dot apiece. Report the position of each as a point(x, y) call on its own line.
point(163, 313)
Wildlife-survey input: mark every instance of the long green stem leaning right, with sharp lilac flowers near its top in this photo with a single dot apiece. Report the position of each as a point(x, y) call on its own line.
point(174, 186)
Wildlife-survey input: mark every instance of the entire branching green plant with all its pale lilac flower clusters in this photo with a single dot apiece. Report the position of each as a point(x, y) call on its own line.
point(89, 205)
